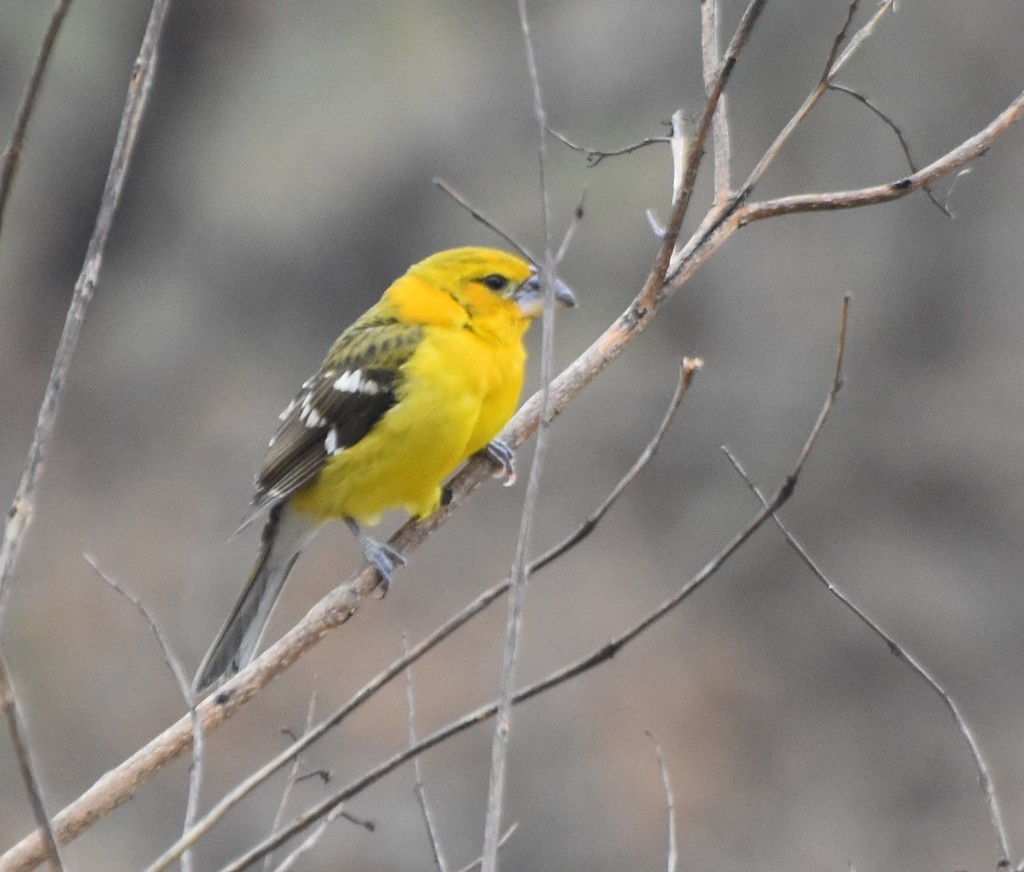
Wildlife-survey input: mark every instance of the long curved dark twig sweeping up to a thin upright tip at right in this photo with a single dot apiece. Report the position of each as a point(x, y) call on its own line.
point(578, 668)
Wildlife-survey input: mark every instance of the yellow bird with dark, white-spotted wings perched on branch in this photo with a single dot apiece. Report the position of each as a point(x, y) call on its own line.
point(423, 380)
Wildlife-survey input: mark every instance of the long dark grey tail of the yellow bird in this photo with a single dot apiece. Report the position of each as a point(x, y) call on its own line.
point(285, 535)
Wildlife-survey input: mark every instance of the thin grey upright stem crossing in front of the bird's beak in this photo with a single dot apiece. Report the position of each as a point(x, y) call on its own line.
point(518, 588)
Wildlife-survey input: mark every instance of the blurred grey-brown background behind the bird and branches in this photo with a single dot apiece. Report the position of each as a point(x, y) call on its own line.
point(284, 179)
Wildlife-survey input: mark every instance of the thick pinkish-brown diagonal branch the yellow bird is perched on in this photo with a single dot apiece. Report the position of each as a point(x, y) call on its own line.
point(120, 783)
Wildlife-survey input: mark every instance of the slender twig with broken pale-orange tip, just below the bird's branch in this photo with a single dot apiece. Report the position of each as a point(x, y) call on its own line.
point(443, 632)
